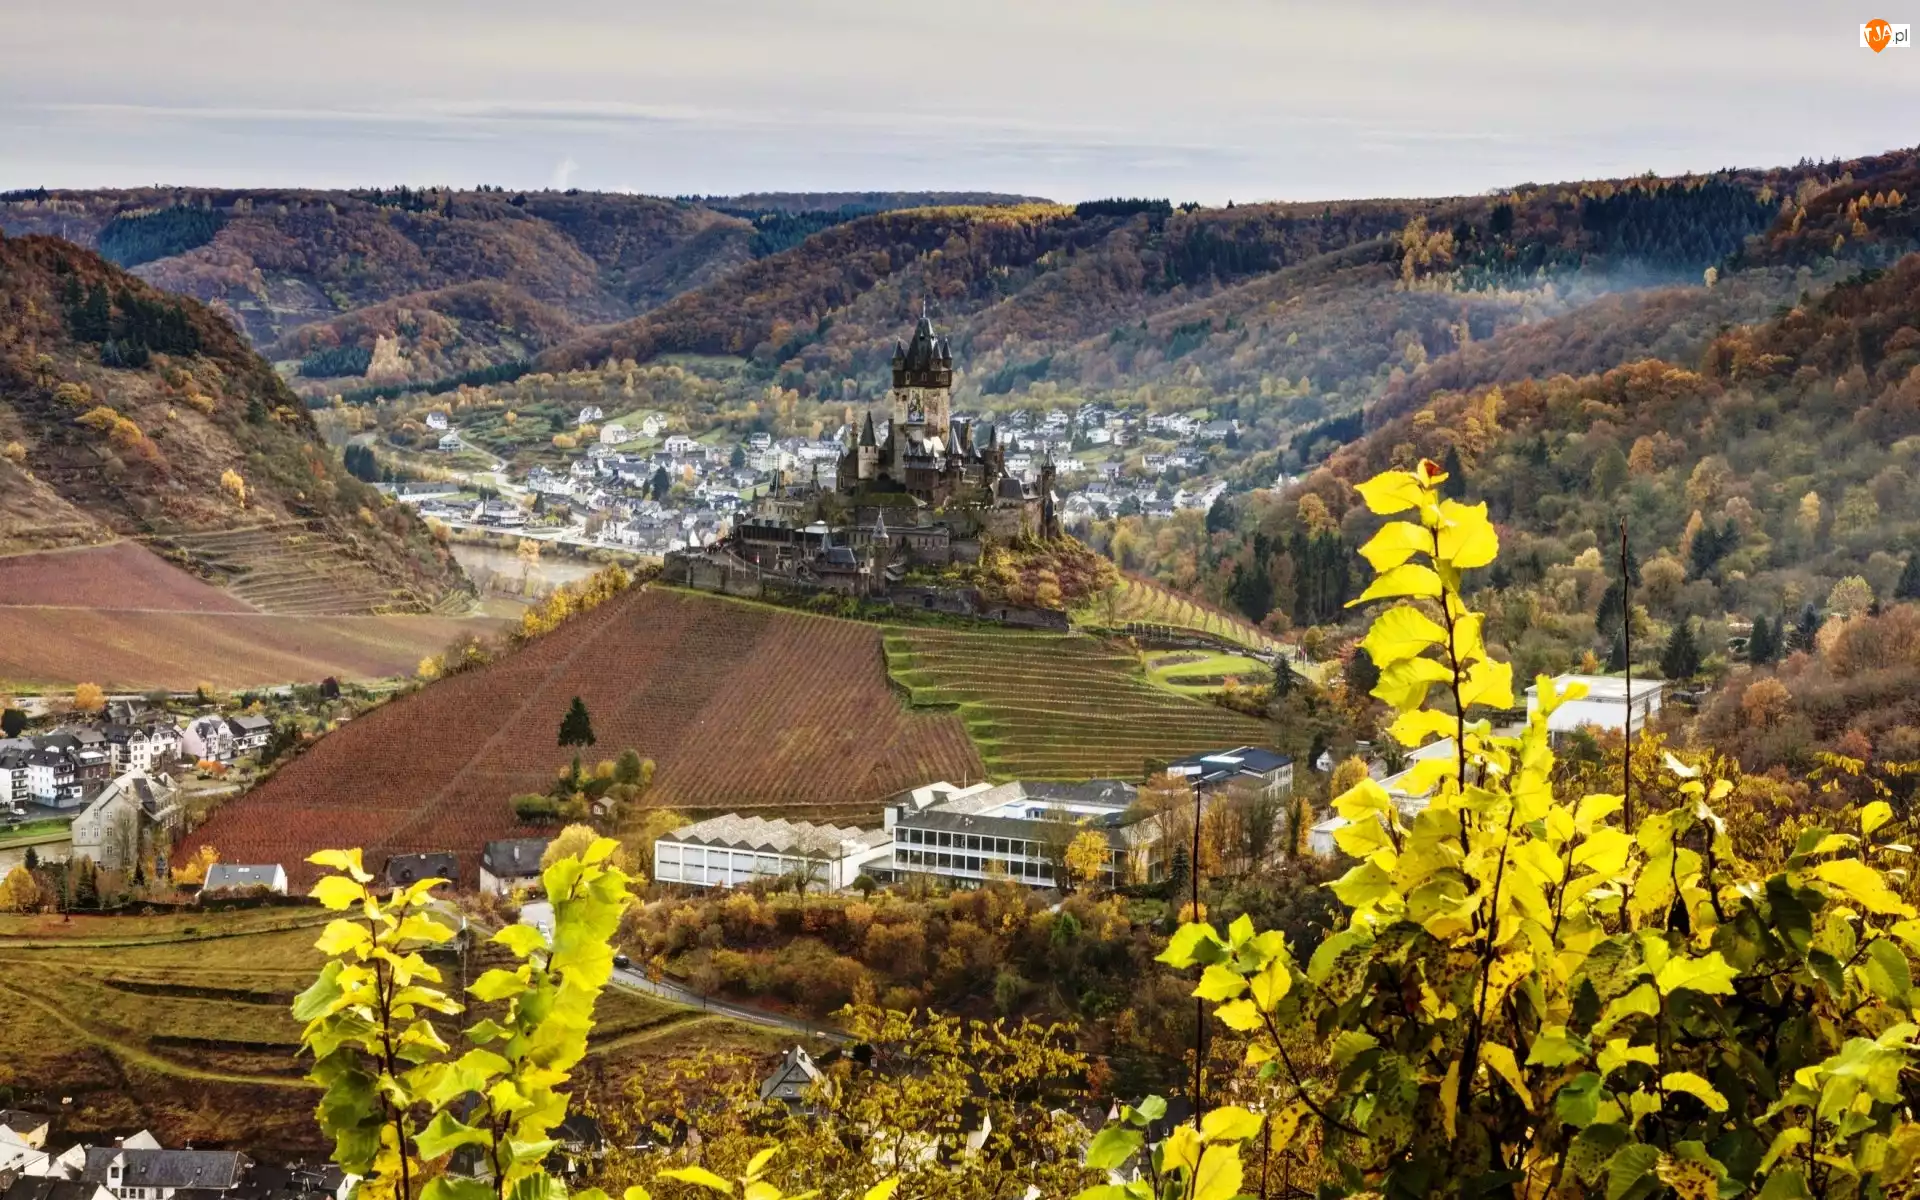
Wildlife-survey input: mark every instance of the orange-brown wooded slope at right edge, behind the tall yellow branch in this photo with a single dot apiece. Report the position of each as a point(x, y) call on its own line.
point(1756, 479)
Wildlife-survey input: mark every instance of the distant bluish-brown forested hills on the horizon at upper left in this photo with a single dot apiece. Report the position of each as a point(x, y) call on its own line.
point(276, 262)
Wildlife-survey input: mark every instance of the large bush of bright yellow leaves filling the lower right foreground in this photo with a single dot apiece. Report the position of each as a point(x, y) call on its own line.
point(1531, 999)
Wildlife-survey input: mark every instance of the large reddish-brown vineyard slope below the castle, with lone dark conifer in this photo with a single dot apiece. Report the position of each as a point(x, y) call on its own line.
point(740, 708)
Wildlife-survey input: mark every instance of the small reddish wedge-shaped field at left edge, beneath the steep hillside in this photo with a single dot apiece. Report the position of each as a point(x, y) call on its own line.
point(110, 577)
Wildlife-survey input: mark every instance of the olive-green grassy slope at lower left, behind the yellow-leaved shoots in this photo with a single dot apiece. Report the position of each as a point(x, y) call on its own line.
point(180, 1024)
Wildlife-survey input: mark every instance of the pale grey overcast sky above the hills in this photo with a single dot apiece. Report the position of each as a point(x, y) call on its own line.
point(1067, 99)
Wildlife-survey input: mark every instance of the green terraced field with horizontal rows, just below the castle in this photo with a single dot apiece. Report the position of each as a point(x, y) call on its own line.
point(1059, 706)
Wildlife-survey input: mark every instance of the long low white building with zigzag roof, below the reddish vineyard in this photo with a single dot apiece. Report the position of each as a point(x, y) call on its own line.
point(734, 852)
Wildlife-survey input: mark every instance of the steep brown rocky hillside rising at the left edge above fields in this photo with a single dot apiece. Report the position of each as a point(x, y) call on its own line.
point(128, 410)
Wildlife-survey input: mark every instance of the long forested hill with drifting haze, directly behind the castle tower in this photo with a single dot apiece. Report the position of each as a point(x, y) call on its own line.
point(1285, 314)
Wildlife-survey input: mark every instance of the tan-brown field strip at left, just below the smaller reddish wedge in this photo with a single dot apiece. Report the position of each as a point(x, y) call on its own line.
point(141, 650)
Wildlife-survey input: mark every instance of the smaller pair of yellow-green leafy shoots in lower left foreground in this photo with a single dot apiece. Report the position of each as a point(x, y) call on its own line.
point(396, 1099)
